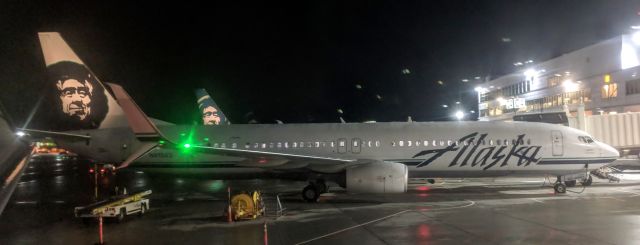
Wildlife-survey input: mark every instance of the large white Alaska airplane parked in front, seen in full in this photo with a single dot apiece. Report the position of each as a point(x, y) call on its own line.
point(105, 124)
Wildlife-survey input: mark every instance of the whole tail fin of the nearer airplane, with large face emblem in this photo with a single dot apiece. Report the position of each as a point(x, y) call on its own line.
point(75, 98)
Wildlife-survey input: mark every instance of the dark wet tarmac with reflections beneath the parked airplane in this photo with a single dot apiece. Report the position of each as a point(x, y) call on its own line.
point(187, 209)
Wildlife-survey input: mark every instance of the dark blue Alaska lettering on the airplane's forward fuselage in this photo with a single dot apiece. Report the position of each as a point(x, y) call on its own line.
point(468, 153)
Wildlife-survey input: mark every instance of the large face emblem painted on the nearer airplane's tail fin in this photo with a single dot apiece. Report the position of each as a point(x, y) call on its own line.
point(80, 100)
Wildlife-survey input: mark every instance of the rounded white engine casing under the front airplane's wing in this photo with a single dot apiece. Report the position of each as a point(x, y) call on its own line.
point(377, 177)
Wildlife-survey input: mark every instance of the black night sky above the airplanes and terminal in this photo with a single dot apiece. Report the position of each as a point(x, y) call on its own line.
point(300, 61)
